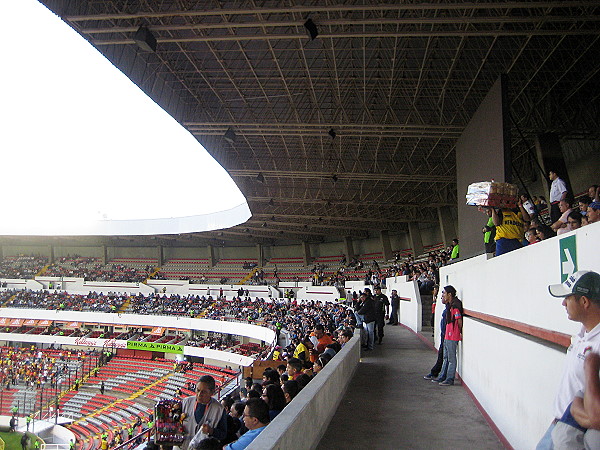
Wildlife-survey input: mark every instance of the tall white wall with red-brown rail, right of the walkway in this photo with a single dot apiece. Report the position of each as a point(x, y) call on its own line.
point(514, 377)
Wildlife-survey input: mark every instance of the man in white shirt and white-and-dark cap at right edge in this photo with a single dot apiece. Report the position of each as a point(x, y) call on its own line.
point(581, 298)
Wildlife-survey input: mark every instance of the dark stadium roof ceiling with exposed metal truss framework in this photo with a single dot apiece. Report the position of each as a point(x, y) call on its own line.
point(354, 131)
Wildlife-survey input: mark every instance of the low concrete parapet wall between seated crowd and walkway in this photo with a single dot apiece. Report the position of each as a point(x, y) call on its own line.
point(304, 421)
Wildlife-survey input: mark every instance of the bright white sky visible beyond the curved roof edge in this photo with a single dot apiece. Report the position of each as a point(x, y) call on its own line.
point(82, 145)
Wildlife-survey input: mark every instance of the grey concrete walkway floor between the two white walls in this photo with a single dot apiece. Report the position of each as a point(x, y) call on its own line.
point(389, 405)
